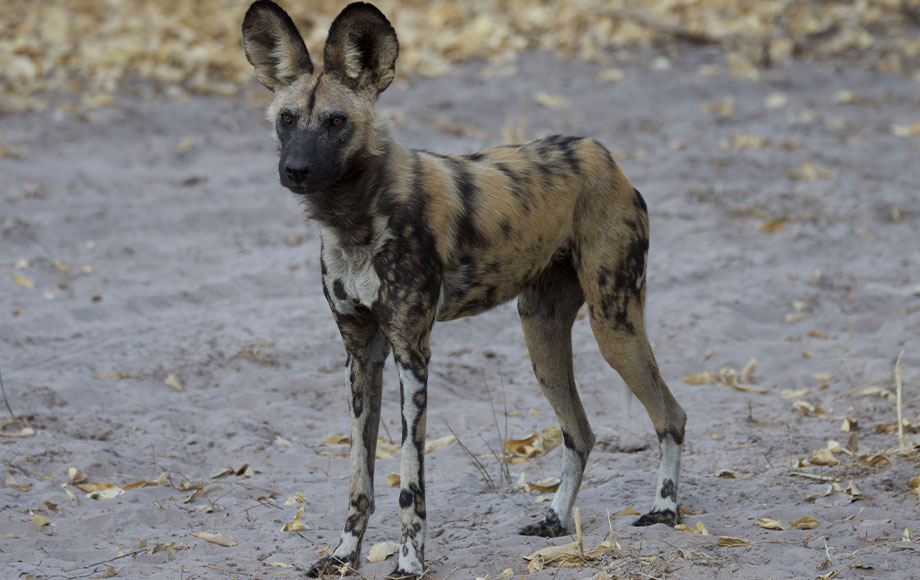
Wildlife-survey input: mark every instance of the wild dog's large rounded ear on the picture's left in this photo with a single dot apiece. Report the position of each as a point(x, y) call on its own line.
point(274, 46)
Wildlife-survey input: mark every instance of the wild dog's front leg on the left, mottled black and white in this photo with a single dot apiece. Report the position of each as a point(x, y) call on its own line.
point(367, 351)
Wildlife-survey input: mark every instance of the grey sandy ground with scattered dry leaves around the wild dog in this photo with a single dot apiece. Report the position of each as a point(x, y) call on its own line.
point(185, 258)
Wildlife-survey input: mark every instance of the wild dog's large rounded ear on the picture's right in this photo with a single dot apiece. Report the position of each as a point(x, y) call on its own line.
point(361, 49)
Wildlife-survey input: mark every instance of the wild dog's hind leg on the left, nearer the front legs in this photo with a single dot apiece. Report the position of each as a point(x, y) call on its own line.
point(548, 308)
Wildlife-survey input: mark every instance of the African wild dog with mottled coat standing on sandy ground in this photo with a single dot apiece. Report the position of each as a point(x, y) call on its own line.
point(410, 237)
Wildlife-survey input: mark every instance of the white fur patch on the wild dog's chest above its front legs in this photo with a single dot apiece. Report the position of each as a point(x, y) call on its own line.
point(350, 275)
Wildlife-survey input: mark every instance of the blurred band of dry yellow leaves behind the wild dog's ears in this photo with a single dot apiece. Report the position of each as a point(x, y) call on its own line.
point(92, 49)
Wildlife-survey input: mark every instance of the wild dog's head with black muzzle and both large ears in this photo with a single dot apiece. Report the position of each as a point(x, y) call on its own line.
point(324, 118)
